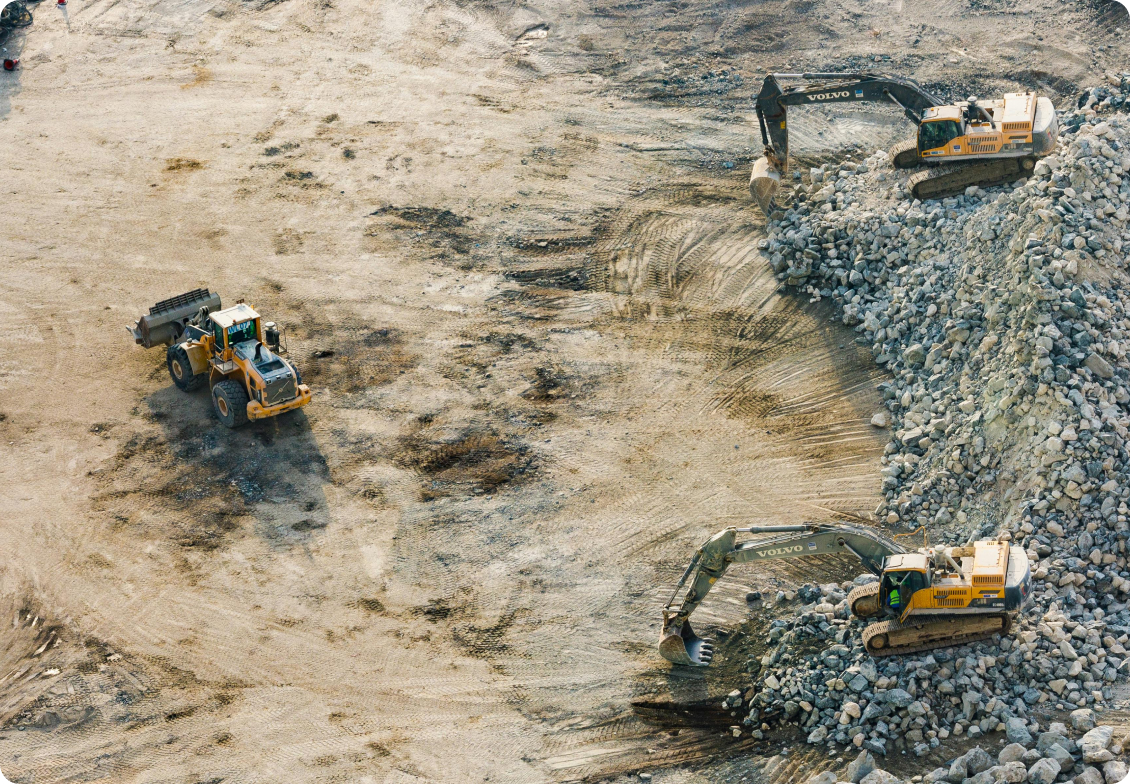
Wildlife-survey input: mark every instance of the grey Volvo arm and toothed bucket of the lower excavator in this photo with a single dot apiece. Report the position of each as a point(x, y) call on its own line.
point(679, 643)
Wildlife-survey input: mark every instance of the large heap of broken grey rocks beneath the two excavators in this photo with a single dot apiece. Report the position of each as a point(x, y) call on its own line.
point(1004, 319)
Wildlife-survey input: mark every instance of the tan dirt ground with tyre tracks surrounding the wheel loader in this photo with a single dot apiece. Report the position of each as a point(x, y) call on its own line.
point(516, 257)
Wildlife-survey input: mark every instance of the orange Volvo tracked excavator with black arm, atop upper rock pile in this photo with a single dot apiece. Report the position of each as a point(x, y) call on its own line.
point(970, 143)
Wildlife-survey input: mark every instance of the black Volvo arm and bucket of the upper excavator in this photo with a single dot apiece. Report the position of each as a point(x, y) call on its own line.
point(773, 102)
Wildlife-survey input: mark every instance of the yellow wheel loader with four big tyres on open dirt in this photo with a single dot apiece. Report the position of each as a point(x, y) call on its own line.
point(231, 350)
